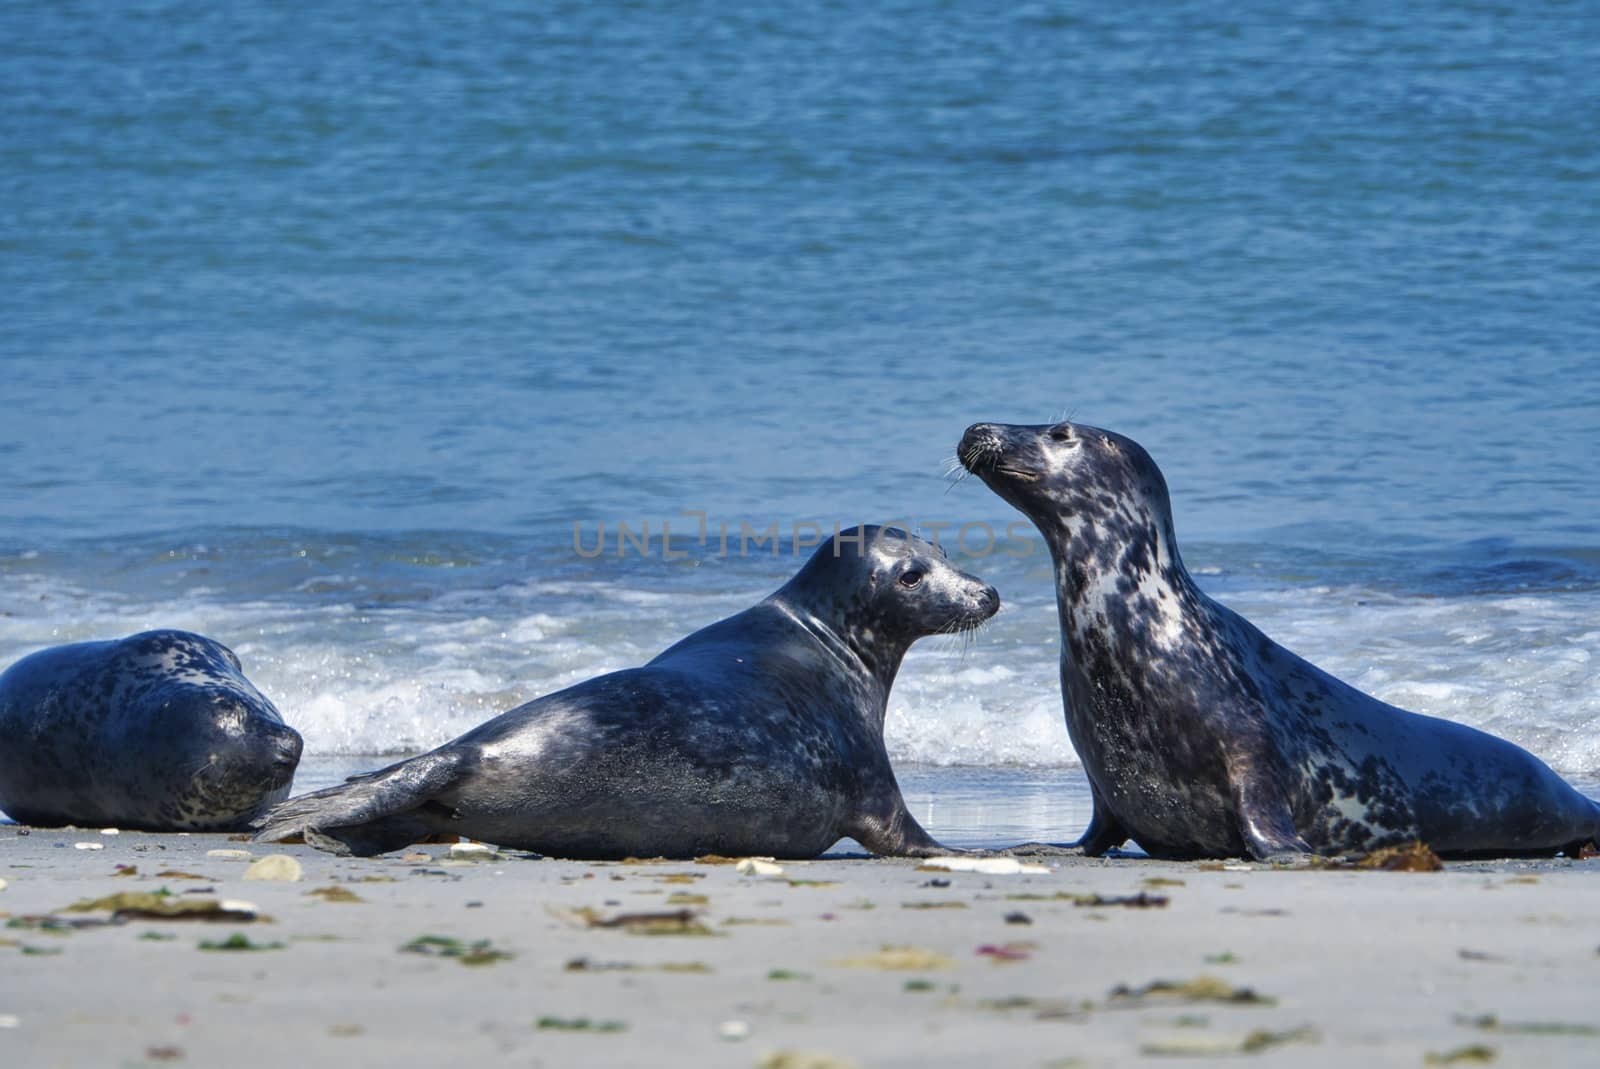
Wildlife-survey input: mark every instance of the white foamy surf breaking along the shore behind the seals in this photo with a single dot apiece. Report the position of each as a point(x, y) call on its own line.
point(388, 679)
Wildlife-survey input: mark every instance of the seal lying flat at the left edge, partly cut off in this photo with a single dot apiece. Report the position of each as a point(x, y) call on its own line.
point(159, 732)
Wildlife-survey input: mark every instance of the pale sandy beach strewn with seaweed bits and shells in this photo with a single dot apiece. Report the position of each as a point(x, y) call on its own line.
point(428, 959)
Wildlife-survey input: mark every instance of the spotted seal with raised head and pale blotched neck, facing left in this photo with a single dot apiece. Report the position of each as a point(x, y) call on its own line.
point(1204, 739)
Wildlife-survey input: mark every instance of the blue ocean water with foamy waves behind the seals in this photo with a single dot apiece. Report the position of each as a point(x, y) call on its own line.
point(441, 356)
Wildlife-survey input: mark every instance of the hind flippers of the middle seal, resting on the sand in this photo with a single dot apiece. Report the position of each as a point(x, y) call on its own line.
point(377, 812)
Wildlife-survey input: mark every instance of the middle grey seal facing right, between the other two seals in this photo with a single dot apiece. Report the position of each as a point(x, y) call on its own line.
point(758, 735)
